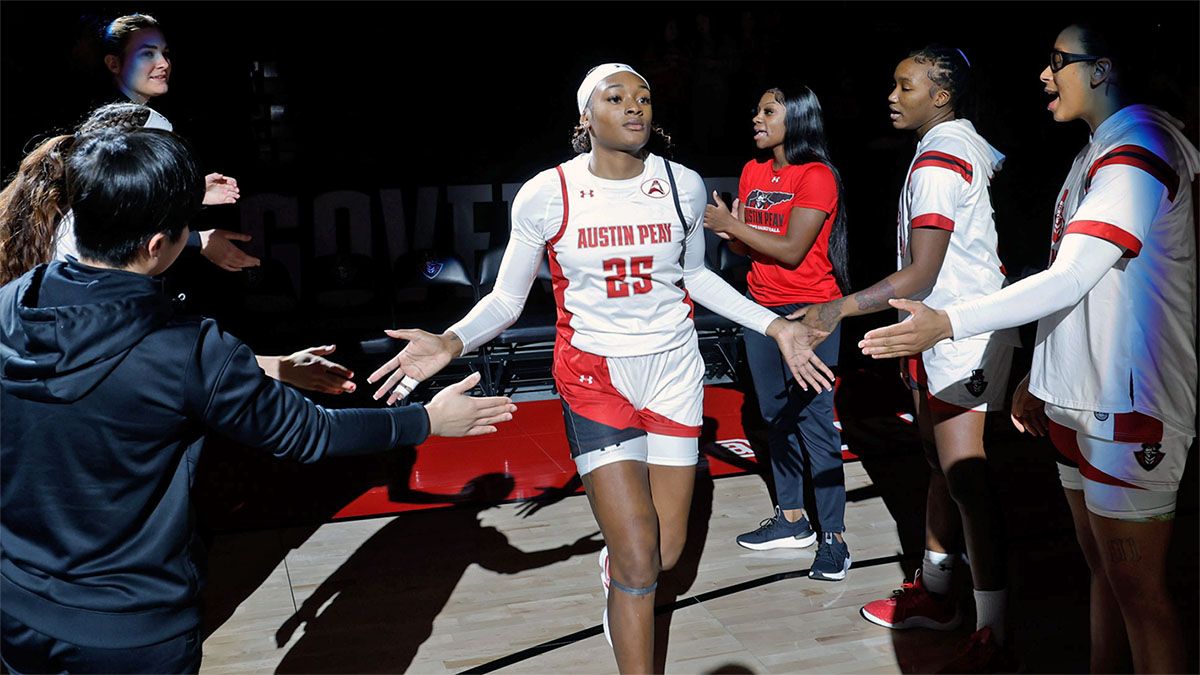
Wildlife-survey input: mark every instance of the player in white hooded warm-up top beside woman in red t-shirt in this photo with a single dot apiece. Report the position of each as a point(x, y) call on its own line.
point(947, 253)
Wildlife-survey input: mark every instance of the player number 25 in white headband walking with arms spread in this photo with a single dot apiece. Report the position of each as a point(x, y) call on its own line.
point(623, 230)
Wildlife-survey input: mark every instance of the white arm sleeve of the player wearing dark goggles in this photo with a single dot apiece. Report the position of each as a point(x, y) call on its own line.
point(1081, 265)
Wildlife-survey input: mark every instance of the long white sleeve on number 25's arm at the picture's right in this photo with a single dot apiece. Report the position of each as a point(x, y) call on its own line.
point(703, 284)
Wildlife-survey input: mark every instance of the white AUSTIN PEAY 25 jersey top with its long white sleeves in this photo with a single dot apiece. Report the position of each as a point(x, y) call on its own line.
point(615, 253)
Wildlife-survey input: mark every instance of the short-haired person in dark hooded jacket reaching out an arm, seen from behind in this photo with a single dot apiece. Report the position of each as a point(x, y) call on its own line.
point(106, 398)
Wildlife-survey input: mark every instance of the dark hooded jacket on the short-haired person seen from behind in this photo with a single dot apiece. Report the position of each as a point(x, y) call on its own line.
point(105, 398)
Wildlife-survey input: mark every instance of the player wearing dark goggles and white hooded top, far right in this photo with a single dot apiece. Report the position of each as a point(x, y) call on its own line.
point(1115, 367)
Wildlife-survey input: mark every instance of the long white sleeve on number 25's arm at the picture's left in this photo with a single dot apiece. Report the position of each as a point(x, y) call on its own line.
point(532, 228)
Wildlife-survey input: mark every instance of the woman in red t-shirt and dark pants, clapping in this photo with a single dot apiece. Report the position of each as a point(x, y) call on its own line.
point(794, 225)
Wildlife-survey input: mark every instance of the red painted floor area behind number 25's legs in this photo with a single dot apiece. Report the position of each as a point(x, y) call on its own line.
point(532, 450)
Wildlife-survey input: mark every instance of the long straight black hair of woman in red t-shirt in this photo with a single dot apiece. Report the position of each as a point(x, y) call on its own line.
point(806, 142)
